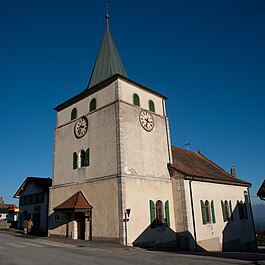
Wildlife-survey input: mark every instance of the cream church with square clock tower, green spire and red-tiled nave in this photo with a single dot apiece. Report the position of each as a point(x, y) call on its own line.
point(116, 176)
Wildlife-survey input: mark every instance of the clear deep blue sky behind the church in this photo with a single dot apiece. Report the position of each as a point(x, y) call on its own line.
point(207, 57)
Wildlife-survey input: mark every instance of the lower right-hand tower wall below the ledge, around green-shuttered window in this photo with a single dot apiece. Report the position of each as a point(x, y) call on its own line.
point(139, 192)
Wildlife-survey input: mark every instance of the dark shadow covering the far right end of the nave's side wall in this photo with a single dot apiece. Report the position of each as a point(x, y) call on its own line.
point(239, 233)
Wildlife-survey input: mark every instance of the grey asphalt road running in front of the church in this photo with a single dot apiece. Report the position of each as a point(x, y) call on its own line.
point(16, 249)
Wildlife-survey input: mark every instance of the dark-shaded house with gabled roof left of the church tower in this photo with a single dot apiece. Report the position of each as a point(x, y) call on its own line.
point(33, 197)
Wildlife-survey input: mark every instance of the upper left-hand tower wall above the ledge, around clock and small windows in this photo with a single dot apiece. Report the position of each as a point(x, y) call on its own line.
point(100, 139)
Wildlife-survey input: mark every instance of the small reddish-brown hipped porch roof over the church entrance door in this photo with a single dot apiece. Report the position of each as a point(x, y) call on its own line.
point(76, 203)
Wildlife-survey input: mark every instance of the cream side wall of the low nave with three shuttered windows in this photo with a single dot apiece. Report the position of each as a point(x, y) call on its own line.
point(212, 236)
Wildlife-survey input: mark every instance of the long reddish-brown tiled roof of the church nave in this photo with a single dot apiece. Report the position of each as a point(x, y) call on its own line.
point(196, 165)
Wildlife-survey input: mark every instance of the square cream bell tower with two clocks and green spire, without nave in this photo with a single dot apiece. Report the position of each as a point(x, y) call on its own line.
point(112, 144)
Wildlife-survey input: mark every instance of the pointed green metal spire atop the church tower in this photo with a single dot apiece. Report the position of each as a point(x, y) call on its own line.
point(108, 62)
